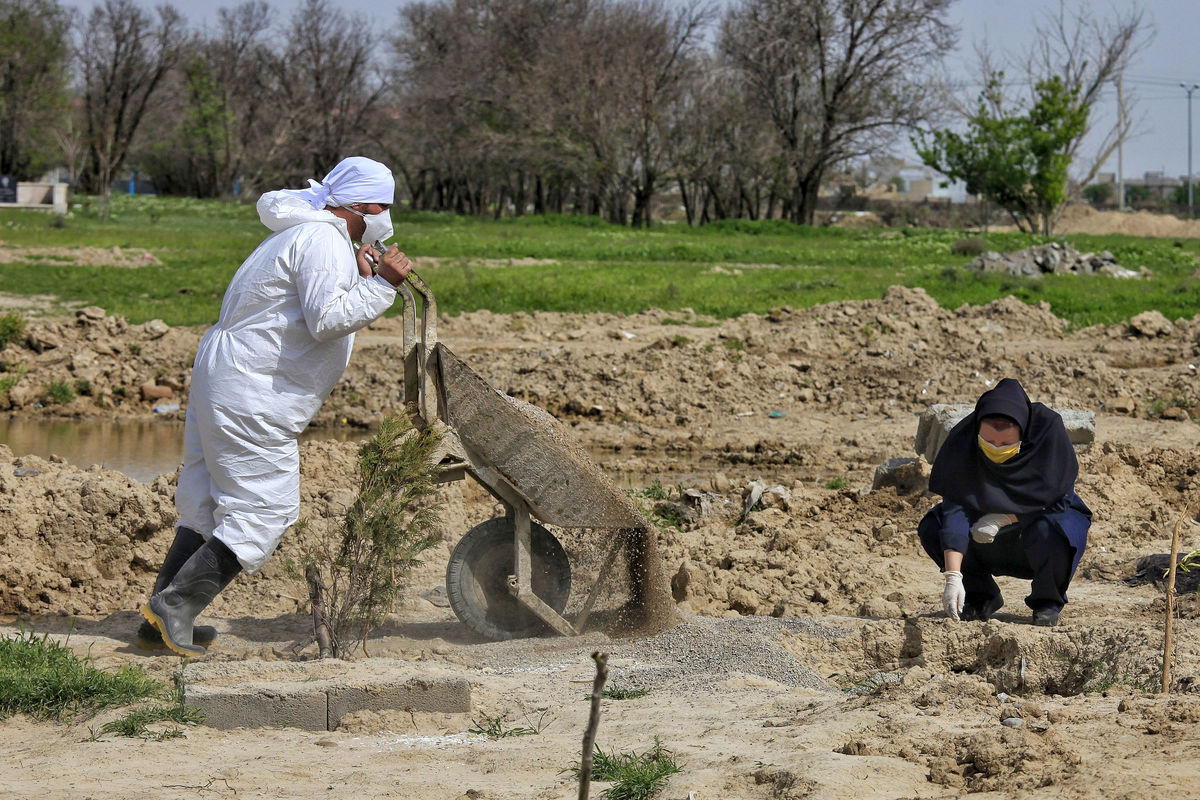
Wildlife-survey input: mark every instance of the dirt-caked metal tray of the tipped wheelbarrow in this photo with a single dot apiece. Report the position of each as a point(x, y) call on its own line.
point(531, 450)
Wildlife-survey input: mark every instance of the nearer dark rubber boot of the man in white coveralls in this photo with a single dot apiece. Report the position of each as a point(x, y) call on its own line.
point(173, 611)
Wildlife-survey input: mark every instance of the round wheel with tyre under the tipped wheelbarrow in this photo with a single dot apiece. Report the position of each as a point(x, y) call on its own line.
point(478, 580)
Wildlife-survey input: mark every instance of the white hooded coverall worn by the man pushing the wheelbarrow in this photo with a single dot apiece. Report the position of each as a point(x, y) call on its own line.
point(262, 372)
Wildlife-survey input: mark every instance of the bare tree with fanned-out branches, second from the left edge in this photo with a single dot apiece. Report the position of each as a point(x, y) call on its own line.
point(124, 58)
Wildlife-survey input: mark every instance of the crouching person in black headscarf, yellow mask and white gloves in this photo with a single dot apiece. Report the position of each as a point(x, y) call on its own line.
point(1007, 479)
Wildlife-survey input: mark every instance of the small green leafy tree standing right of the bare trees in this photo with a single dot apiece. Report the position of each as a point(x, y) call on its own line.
point(1017, 160)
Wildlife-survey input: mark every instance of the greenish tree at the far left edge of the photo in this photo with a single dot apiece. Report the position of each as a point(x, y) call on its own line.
point(34, 53)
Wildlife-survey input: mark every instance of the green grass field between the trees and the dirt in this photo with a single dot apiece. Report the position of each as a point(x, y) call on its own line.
point(584, 264)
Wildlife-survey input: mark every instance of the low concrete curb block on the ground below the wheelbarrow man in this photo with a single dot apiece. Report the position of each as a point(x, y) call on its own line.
point(316, 695)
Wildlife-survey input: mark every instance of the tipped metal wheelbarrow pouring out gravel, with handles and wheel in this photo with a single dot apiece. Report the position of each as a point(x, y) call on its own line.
point(511, 578)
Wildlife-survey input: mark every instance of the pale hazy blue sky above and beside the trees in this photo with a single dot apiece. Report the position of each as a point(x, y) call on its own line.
point(1172, 58)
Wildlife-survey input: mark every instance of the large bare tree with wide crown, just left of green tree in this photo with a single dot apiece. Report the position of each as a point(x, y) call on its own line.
point(839, 79)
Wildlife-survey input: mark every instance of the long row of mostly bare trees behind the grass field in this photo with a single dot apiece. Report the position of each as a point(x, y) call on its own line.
point(515, 106)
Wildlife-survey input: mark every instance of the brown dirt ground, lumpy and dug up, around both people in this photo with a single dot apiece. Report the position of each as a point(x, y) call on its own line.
point(811, 658)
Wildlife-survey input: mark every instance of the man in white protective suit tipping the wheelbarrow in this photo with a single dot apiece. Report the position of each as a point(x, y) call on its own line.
point(261, 374)
